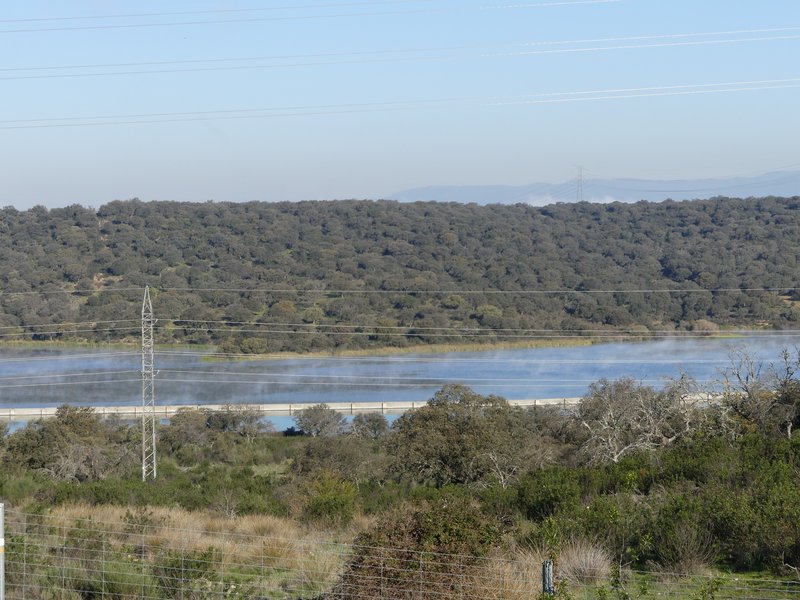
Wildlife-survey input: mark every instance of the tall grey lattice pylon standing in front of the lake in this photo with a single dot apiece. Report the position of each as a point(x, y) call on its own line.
point(148, 391)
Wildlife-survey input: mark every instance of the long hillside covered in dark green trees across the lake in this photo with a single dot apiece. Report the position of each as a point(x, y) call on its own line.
point(389, 274)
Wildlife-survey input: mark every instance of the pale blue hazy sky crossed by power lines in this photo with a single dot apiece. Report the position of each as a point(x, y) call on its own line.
point(319, 99)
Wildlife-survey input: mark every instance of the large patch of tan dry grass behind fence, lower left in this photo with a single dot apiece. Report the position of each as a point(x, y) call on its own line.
point(278, 552)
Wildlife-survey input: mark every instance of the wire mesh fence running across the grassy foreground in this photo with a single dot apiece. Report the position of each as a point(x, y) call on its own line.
point(61, 558)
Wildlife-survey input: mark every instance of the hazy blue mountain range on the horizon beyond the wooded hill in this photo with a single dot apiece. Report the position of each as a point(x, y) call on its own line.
point(781, 183)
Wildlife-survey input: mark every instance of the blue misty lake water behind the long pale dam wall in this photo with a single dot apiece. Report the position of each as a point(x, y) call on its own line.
point(48, 377)
